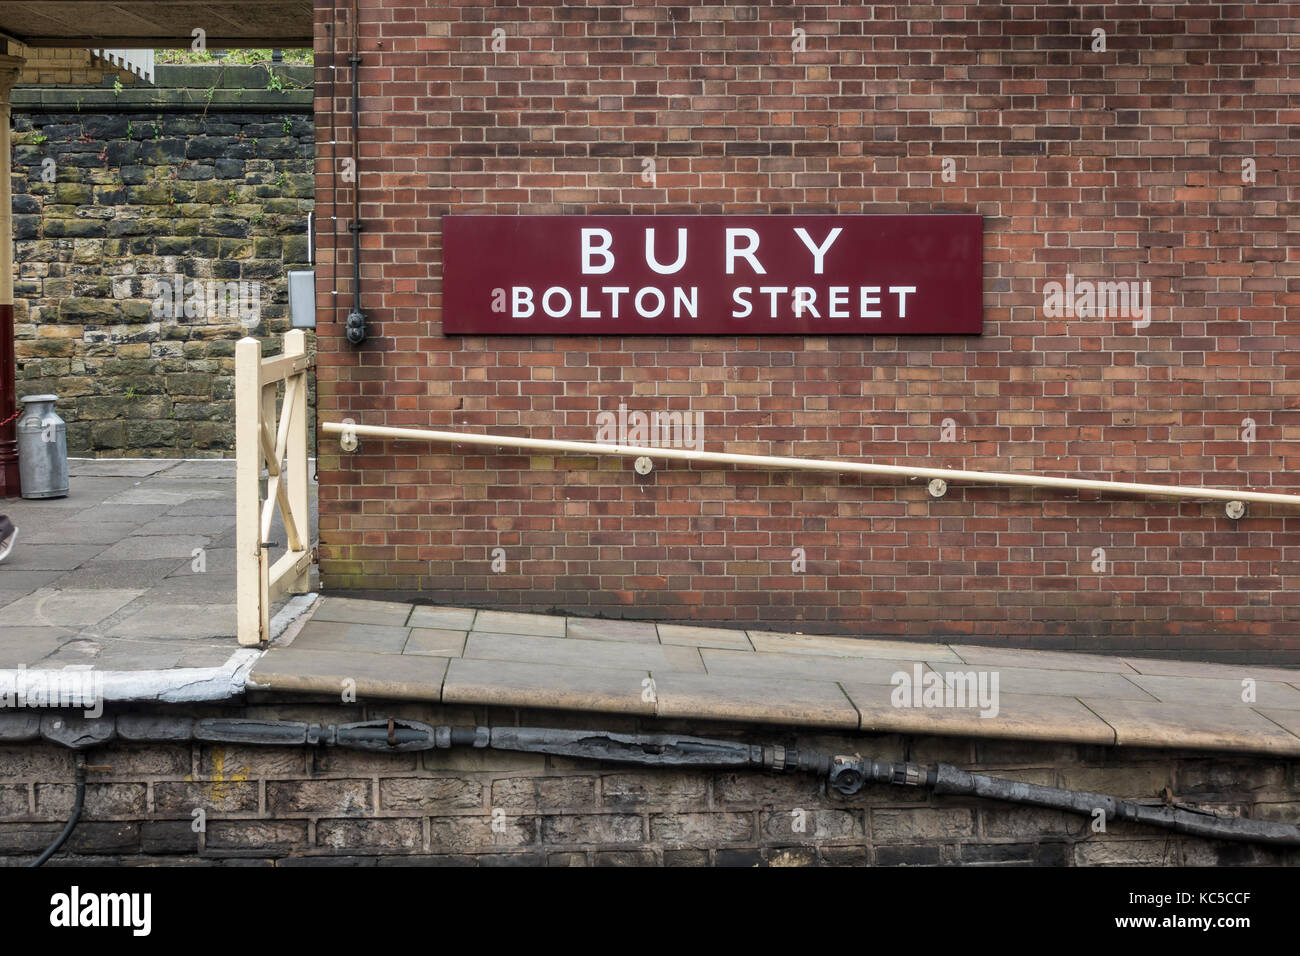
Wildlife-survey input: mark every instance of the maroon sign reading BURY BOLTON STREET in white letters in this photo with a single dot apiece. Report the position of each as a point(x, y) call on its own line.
point(713, 275)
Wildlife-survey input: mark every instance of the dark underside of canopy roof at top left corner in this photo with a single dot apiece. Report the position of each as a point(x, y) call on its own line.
point(148, 24)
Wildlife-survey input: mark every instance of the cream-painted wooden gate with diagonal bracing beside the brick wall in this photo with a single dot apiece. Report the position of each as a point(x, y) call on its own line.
point(280, 444)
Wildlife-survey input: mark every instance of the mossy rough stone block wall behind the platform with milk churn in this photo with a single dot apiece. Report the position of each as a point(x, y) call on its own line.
point(206, 178)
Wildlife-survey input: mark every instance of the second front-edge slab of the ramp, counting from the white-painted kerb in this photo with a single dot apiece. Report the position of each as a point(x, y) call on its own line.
point(510, 684)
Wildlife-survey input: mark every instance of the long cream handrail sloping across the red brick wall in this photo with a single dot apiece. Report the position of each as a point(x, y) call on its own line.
point(939, 478)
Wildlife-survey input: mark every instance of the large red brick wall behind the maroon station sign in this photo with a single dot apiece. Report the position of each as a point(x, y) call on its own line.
point(1125, 165)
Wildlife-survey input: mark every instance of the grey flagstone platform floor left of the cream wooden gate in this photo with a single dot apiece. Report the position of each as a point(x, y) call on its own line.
point(135, 570)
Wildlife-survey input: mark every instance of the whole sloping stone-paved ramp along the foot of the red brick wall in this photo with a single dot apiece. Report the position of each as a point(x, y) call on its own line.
point(483, 657)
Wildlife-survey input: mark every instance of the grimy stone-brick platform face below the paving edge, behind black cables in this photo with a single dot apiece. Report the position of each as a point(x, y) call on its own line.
point(300, 807)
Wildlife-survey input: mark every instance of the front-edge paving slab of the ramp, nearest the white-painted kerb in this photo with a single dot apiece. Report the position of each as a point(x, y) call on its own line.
point(391, 677)
